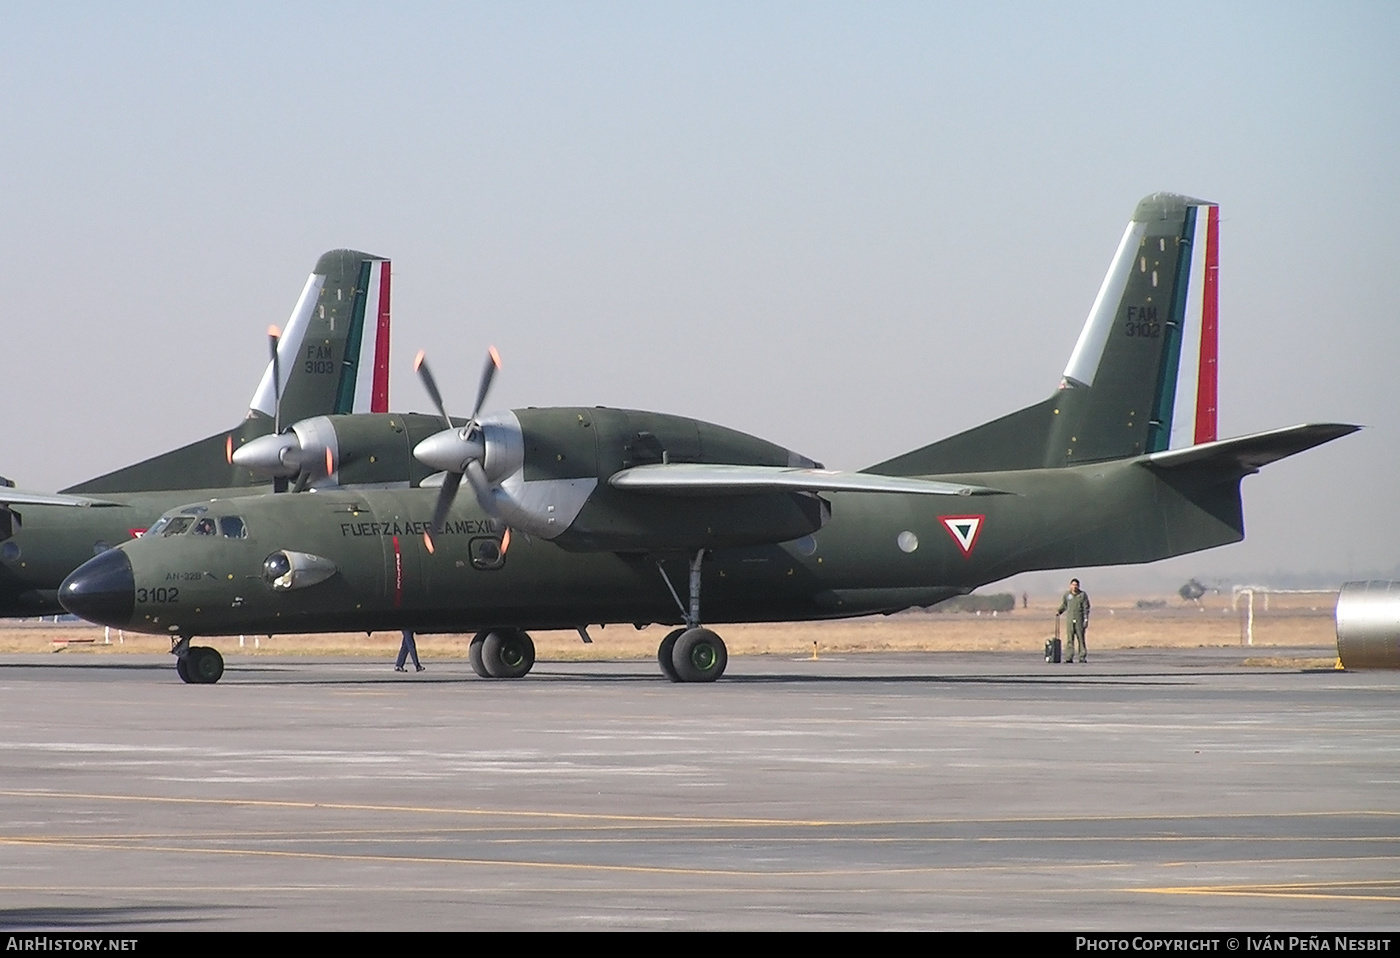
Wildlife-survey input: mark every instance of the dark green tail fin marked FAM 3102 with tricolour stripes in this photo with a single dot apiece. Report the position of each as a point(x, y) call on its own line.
point(1143, 375)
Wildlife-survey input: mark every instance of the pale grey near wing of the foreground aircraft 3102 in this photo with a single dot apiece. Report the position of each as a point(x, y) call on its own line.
point(716, 480)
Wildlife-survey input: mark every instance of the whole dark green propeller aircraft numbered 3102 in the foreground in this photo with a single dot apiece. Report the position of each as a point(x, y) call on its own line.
point(582, 516)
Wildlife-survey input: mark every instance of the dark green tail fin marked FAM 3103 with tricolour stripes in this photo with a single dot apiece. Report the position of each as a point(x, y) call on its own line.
point(334, 355)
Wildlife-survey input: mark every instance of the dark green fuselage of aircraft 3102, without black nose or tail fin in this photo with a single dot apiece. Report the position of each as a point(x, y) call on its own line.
point(1095, 515)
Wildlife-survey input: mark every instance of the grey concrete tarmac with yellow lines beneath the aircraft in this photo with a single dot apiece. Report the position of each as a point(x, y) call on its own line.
point(1147, 791)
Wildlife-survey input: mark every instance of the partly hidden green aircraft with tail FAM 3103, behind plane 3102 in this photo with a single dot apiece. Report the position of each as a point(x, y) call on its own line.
point(334, 359)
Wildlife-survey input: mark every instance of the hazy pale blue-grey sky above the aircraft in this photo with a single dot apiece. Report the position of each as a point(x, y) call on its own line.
point(852, 229)
